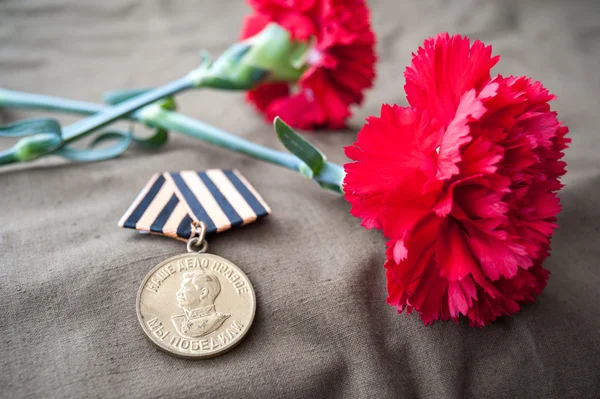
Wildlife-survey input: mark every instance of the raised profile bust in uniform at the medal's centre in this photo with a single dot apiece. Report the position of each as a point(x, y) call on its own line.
point(196, 297)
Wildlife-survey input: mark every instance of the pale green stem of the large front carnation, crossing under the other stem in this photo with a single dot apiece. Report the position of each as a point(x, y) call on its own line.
point(153, 115)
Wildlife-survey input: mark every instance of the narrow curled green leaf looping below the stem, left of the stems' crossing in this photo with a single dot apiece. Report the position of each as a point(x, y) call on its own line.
point(123, 140)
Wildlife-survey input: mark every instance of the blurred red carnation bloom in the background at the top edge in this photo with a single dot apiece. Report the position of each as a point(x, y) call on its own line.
point(341, 63)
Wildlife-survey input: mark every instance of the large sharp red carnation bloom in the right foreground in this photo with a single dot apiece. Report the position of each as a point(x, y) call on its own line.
point(463, 183)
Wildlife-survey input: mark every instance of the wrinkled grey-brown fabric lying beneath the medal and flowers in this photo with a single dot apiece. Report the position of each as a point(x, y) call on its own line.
point(69, 276)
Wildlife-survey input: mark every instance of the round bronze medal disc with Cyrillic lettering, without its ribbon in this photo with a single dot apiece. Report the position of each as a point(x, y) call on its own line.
point(196, 305)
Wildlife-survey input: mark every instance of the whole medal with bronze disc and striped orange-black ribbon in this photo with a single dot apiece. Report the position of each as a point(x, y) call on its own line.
point(195, 305)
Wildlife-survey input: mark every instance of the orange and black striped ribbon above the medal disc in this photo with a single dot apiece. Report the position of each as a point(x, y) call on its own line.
point(170, 202)
